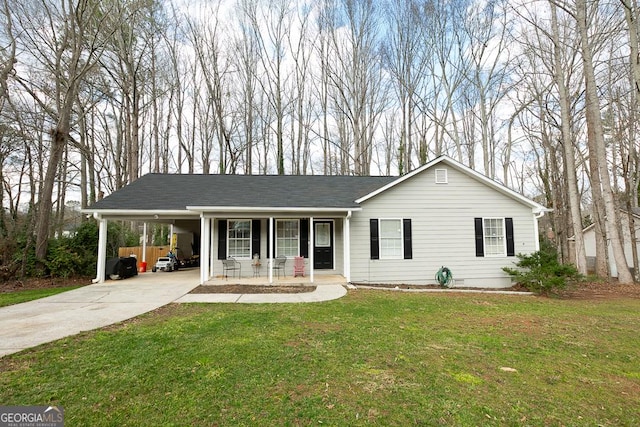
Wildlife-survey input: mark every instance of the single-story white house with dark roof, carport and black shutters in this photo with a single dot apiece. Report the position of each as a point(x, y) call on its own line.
point(389, 230)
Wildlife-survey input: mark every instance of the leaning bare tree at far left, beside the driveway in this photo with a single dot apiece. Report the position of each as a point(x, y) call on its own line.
point(68, 50)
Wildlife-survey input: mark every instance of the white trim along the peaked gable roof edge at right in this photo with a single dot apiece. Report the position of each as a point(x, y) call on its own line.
point(536, 207)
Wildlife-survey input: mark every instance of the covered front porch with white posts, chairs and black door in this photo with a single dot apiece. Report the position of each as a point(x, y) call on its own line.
point(285, 246)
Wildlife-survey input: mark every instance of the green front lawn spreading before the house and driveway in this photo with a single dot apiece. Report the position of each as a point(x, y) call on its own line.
point(373, 357)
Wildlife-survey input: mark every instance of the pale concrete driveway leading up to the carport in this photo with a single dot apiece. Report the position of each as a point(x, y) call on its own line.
point(48, 319)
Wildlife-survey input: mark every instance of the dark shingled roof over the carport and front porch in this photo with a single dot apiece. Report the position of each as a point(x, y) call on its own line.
point(177, 191)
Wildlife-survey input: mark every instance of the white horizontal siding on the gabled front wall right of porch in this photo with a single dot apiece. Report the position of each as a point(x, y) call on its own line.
point(443, 234)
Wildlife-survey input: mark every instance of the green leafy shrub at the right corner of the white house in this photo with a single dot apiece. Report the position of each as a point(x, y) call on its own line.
point(541, 273)
